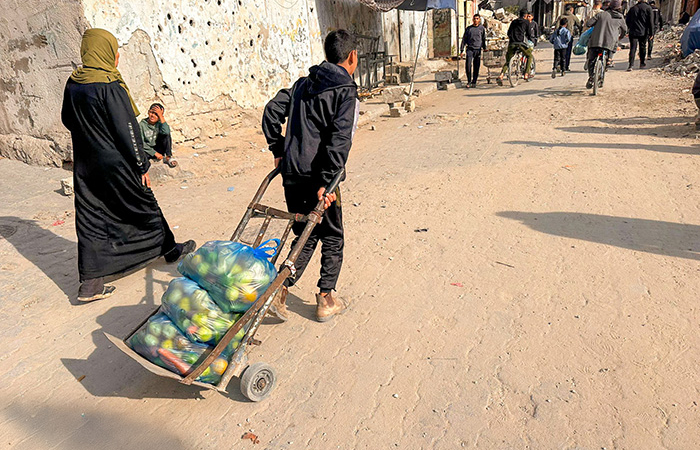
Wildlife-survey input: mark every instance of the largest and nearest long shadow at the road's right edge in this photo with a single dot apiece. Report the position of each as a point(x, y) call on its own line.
point(651, 236)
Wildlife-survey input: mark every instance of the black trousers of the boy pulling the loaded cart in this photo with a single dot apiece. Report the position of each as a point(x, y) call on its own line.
point(302, 199)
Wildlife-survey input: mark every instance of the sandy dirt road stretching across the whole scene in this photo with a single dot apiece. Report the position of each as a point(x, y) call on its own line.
point(551, 303)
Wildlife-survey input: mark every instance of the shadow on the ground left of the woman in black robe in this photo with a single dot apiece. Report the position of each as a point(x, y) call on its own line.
point(54, 255)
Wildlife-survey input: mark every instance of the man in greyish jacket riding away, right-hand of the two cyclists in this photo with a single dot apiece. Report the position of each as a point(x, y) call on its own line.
point(608, 28)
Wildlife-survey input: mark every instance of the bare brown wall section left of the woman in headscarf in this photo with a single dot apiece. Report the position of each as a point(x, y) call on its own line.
point(38, 41)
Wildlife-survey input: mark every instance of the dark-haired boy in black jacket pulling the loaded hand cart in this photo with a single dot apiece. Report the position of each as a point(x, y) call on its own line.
point(321, 112)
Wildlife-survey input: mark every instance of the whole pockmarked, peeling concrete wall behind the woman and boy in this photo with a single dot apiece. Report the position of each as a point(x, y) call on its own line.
point(202, 58)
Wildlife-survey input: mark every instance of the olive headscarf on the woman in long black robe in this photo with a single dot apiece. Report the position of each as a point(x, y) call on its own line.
point(98, 50)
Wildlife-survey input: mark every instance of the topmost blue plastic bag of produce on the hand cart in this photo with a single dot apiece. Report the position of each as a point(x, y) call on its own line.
point(233, 274)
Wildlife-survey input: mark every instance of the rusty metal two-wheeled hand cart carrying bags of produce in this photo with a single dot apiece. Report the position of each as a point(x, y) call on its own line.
point(258, 379)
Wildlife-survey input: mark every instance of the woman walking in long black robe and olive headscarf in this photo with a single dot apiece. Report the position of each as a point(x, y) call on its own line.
point(118, 222)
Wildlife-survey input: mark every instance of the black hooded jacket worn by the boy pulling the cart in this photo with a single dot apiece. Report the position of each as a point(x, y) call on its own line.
point(322, 111)
